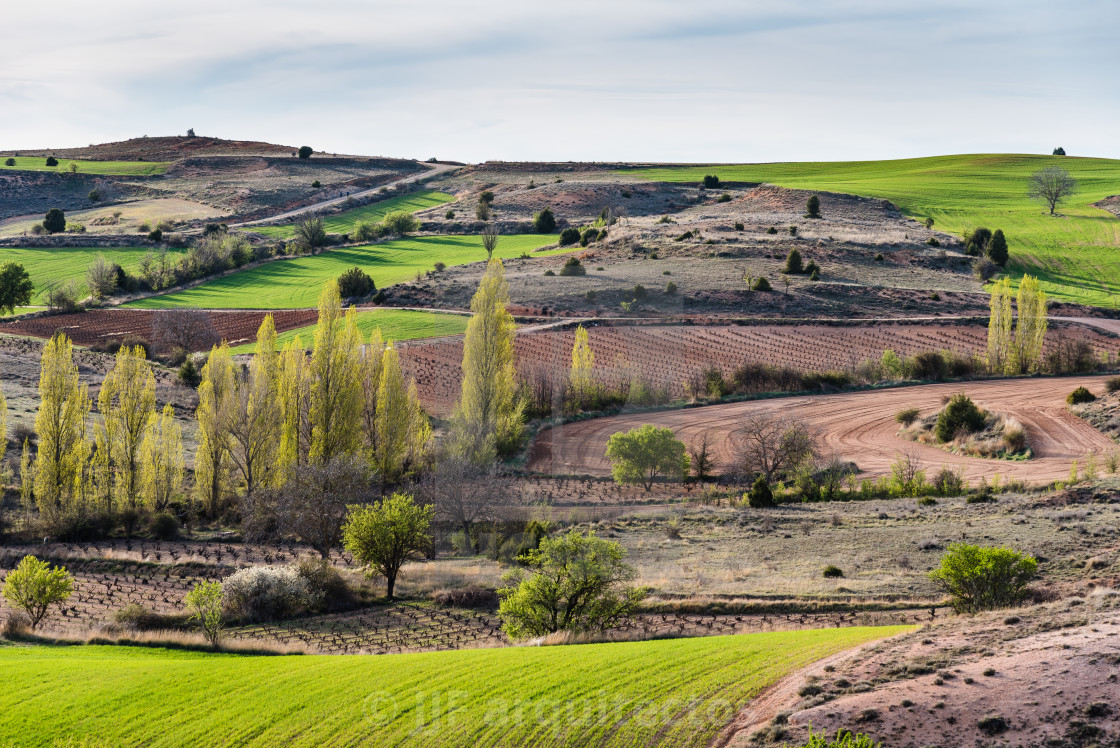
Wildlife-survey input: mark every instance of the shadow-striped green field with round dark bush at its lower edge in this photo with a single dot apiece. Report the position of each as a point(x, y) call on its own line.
point(296, 284)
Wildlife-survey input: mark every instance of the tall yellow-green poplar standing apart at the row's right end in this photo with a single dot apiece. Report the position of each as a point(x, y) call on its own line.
point(490, 417)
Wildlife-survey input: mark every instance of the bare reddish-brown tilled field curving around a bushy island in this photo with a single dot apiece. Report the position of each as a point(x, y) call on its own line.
point(861, 427)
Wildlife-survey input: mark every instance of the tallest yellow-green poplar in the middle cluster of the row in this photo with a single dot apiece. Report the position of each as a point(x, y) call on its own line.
point(335, 379)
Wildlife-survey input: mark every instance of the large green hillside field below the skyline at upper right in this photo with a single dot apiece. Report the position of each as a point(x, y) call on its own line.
point(1076, 256)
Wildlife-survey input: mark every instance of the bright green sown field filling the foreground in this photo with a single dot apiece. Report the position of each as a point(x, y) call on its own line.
point(680, 691)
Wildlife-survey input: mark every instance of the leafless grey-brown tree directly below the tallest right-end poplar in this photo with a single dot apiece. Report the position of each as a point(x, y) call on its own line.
point(465, 494)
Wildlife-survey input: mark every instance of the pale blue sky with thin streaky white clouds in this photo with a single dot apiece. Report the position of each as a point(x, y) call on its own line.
point(690, 81)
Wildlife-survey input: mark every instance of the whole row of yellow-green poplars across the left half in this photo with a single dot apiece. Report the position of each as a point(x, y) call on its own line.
point(259, 424)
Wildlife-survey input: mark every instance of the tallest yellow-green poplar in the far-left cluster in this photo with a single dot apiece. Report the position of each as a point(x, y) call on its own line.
point(61, 424)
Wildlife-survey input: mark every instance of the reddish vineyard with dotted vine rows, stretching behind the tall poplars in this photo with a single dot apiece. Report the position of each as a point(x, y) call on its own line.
point(667, 356)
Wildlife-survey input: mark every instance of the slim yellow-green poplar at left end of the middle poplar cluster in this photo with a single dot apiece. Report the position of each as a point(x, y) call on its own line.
point(216, 407)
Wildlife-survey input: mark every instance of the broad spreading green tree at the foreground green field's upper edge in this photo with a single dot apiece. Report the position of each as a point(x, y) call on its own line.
point(574, 584)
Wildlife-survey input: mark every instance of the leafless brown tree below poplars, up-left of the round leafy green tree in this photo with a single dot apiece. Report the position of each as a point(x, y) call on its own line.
point(312, 507)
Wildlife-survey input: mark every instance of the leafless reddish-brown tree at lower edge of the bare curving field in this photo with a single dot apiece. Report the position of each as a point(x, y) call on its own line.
point(772, 445)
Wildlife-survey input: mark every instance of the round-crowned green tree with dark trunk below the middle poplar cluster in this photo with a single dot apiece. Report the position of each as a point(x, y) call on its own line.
point(384, 538)
